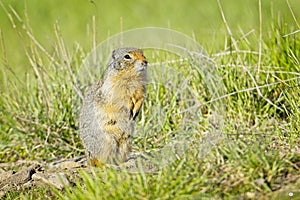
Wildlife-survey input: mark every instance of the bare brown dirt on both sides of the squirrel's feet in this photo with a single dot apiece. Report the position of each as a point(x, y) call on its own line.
point(58, 174)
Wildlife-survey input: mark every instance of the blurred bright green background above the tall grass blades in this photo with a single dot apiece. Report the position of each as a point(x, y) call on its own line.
point(200, 19)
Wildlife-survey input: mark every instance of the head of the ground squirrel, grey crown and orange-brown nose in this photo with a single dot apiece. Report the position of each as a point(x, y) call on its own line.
point(124, 58)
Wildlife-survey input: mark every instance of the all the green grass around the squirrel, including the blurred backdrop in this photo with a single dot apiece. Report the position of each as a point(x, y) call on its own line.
point(257, 63)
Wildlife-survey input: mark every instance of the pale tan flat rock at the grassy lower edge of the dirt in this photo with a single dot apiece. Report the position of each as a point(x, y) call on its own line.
point(58, 180)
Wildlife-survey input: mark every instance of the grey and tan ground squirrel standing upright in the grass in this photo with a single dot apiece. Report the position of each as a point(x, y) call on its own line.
point(111, 106)
